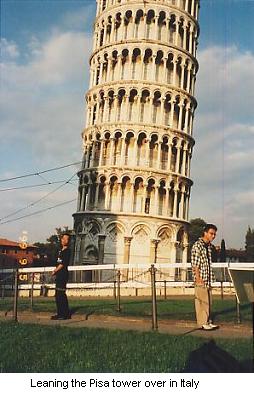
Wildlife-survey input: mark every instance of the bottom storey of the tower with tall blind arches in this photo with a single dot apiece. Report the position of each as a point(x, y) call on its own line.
point(111, 238)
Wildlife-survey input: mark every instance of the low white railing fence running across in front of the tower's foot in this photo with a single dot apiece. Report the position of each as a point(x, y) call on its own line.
point(115, 277)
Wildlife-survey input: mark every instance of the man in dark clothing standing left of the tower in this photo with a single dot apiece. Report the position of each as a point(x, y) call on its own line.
point(61, 274)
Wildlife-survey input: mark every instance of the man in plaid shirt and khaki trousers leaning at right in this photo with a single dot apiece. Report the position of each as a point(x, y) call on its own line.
point(201, 260)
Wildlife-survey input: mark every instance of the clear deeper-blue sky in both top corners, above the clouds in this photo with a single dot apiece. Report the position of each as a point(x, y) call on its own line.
point(222, 21)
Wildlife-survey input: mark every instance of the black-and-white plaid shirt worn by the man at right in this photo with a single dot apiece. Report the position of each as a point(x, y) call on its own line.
point(200, 260)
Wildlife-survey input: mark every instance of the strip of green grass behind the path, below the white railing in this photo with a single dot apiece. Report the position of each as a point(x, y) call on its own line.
point(172, 308)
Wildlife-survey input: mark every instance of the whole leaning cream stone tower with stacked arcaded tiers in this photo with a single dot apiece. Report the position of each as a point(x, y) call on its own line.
point(134, 183)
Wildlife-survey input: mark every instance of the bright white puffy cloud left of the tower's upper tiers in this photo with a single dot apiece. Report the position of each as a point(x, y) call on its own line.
point(56, 61)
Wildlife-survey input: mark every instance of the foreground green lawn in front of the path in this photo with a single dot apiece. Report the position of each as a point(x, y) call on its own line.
point(35, 348)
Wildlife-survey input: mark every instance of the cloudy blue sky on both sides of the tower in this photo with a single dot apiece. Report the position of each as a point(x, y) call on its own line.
point(45, 50)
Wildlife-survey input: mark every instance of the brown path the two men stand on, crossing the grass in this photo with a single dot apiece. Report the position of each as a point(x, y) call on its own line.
point(176, 327)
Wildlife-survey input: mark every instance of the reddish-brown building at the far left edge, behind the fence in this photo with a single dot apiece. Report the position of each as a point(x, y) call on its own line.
point(11, 253)
